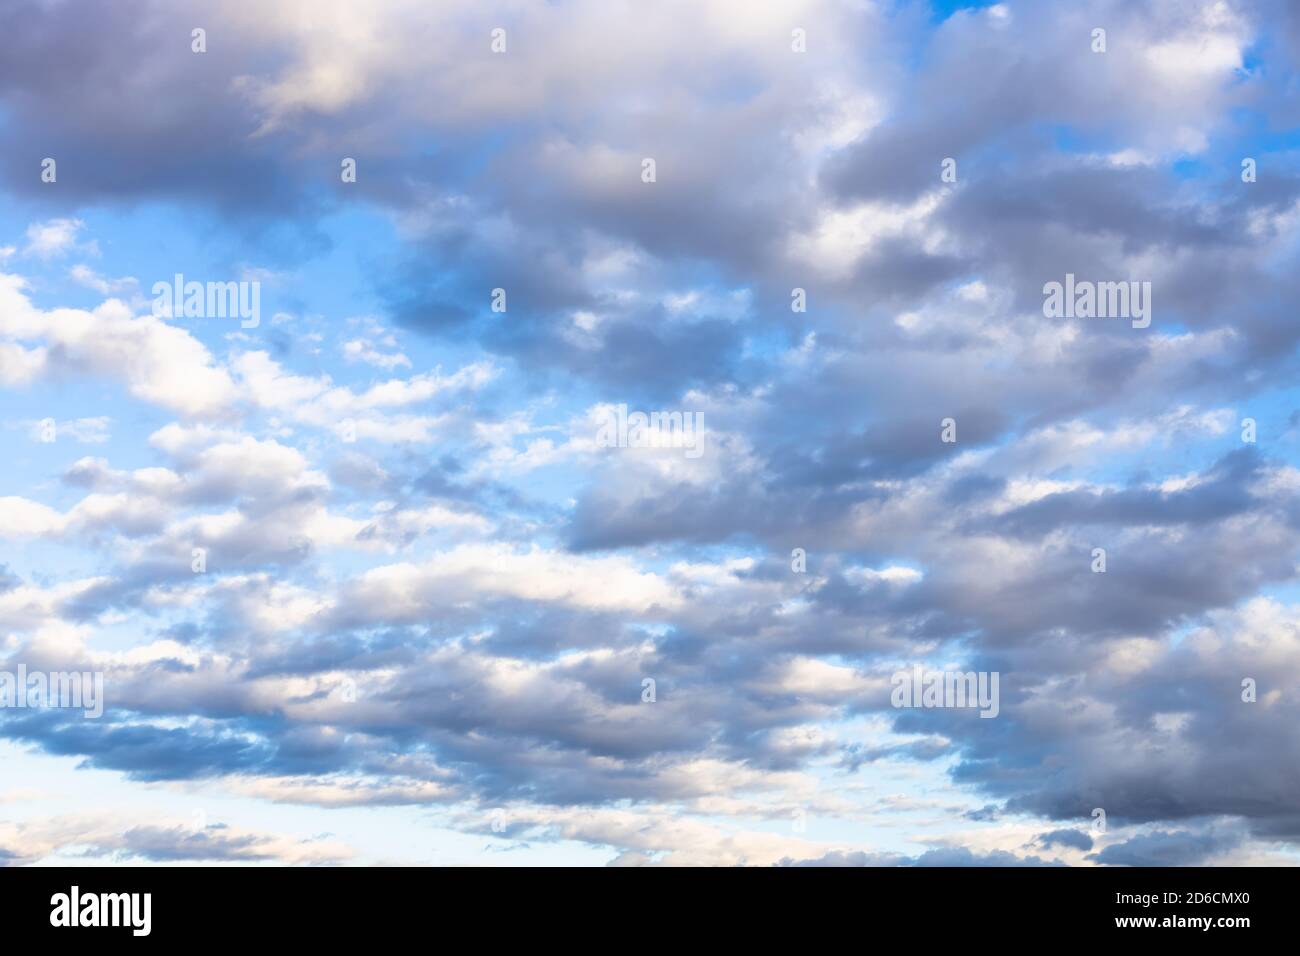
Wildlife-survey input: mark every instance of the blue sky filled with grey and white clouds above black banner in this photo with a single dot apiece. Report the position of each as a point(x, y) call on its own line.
point(370, 578)
